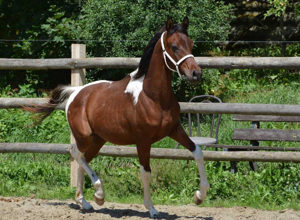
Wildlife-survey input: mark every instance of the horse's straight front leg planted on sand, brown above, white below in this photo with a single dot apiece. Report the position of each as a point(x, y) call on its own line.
point(144, 158)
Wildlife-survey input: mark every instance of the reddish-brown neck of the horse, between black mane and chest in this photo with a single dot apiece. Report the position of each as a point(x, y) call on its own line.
point(158, 81)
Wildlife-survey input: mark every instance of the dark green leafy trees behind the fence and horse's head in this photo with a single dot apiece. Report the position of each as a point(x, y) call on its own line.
point(109, 28)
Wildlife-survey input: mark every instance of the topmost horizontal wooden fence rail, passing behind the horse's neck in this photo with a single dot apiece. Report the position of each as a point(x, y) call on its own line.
point(132, 63)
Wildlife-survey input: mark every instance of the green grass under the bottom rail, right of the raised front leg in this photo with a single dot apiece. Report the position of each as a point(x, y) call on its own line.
point(273, 184)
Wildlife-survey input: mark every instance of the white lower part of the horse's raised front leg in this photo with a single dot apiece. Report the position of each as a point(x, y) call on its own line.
point(204, 185)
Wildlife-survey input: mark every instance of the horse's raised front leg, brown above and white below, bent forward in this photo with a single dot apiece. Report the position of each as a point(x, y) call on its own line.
point(179, 135)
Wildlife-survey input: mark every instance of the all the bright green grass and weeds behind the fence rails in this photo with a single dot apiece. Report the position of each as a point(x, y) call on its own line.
point(274, 186)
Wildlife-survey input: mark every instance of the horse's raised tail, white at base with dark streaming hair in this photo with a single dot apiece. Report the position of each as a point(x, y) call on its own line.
point(58, 96)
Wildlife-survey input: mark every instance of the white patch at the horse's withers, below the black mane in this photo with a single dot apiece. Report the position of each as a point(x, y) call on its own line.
point(135, 86)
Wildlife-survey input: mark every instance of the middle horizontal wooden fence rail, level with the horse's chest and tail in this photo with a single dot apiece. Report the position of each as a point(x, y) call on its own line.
point(205, 108)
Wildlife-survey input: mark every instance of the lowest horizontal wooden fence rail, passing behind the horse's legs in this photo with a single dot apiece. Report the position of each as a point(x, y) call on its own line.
point(157, 153)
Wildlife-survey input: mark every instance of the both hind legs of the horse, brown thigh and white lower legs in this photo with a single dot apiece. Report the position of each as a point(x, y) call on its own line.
point(83, 158)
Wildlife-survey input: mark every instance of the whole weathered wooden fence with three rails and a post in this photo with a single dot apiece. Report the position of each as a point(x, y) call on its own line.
point(78, 63)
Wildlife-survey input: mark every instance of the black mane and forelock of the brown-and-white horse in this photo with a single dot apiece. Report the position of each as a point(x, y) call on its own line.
point(146, 57)
